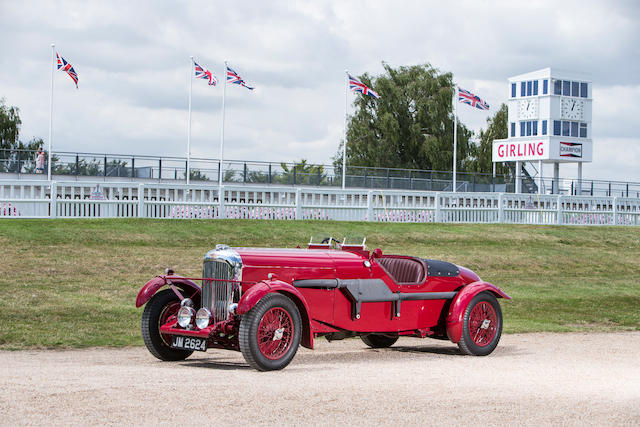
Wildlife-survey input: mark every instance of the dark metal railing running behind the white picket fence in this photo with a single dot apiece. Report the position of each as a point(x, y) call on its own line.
point(140, 168)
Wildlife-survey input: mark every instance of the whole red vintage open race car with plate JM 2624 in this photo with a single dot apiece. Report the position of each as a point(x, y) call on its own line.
point(266, 302)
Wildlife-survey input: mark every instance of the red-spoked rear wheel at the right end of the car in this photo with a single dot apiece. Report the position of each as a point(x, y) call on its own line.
point(476, 340)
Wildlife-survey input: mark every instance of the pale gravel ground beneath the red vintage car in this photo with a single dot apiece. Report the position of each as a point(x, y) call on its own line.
point(532, 379)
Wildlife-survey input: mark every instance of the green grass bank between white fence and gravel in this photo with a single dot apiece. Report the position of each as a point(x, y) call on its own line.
point(73, 283)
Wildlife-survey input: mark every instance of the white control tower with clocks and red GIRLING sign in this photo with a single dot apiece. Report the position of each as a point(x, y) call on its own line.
point(549, 122)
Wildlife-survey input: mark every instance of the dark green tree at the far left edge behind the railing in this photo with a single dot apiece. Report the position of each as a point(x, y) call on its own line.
point(13, 152)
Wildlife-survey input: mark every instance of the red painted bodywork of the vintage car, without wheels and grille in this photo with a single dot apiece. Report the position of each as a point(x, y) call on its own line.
point(329, 310)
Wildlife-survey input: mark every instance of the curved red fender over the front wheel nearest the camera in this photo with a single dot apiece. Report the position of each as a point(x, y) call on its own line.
point(258, 291)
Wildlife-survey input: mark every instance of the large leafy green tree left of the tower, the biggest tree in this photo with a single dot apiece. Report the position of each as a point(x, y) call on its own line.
point(410, 126)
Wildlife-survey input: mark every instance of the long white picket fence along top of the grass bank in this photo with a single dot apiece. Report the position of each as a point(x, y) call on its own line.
point(24, 199)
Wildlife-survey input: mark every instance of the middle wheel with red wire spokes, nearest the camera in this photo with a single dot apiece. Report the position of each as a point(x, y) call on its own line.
point(270, 333)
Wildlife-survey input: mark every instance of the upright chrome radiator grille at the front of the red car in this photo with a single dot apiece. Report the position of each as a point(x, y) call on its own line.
point(217, 295)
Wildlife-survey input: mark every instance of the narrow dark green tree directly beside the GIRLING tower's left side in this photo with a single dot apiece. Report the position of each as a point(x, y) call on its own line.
point(482, 152)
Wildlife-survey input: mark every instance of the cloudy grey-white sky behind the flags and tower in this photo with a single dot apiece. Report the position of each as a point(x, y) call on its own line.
point(132, 59)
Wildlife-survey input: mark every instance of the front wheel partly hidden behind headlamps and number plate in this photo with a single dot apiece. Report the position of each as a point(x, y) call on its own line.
point(159, 308)
